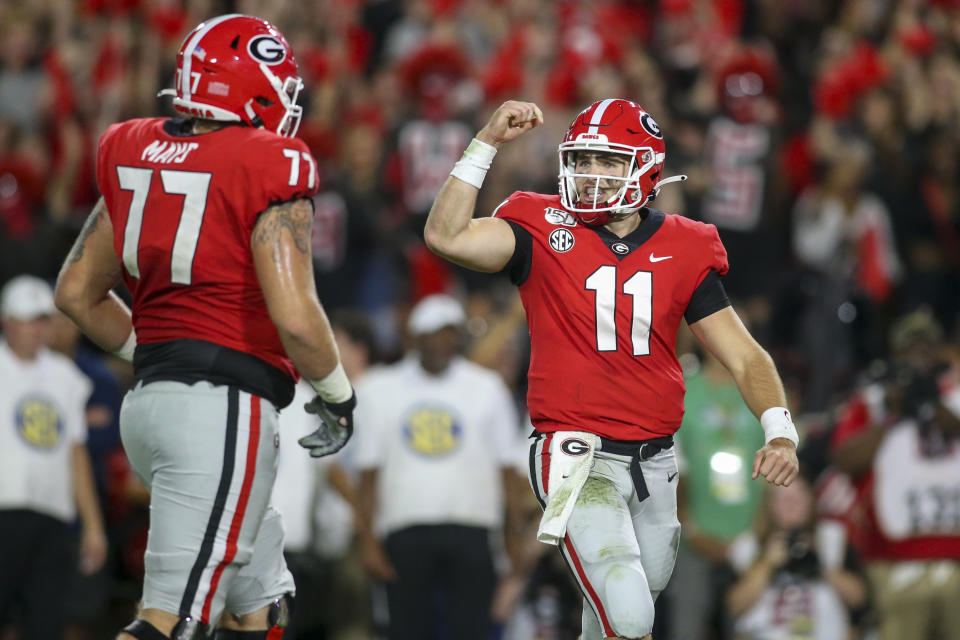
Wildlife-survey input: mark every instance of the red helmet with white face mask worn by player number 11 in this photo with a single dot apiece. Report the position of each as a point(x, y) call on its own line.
point(621, 127)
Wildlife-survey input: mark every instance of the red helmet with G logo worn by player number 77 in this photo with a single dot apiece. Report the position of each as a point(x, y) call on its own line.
point(238, 68)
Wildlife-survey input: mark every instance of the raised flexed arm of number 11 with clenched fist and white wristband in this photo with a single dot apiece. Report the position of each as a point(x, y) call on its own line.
point(481, 244)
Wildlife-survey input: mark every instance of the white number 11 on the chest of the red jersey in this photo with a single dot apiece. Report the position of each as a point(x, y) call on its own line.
point(639, 287)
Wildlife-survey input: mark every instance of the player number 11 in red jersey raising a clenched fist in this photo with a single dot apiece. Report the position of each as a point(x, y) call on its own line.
point(605, 280)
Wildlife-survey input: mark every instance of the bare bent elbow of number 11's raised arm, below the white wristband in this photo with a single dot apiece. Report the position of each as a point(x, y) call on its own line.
point(481, 244)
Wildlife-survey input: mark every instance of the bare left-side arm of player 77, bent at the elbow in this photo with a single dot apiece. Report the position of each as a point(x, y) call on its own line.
point(84, 286)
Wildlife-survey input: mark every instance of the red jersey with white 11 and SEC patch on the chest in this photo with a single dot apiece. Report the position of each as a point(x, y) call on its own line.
point(603, 314)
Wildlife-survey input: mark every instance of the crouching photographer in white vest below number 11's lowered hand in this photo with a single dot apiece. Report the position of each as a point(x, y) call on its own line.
point(791, 583)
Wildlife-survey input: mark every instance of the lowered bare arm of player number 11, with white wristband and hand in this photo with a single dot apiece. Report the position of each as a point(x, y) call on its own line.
point(724, 335)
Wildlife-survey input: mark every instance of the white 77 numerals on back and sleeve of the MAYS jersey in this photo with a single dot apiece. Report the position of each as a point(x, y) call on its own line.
point(193, 186)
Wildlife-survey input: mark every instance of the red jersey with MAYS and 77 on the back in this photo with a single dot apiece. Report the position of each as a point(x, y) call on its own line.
point(183, 209)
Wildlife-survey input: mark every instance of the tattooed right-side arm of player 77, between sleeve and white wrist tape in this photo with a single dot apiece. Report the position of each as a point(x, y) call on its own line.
point(282, 256)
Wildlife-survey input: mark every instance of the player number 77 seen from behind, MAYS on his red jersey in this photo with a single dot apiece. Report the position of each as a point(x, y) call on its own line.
point(207, 221)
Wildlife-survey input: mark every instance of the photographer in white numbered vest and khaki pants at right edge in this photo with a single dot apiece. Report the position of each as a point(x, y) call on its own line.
point(897, 439)
